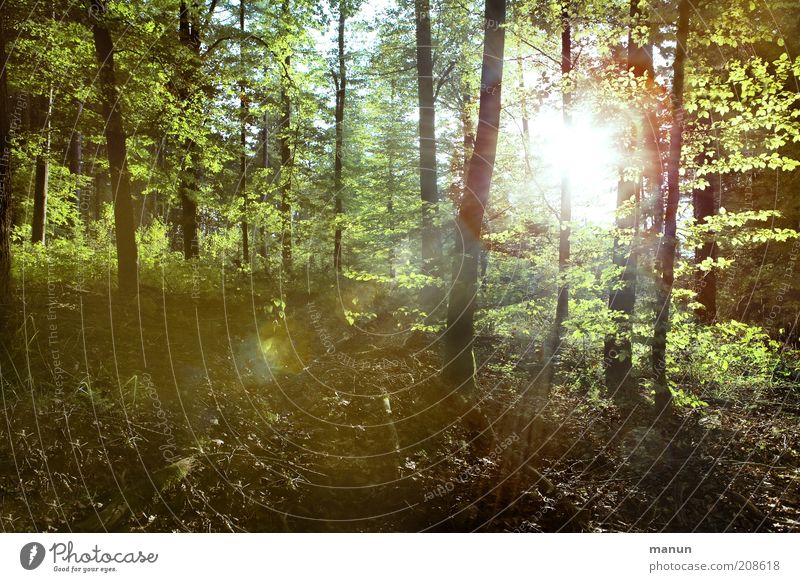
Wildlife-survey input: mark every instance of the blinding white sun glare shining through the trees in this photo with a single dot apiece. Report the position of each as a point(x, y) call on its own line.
point(587, 150)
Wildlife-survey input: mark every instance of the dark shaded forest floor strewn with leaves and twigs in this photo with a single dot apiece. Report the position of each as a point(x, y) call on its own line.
point(173, 413)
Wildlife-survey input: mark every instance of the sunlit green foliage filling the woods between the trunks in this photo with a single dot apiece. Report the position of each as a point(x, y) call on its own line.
point(194, 119)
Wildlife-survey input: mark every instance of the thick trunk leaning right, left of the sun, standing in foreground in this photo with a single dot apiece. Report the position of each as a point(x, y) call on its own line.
point(459, 364)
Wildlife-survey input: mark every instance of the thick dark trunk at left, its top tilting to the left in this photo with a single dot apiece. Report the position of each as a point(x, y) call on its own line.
point(127, 255)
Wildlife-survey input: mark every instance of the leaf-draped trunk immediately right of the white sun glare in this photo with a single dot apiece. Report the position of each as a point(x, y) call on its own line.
point(618, 348)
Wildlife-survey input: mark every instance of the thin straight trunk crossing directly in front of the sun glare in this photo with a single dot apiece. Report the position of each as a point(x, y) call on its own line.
point(562, 302)
